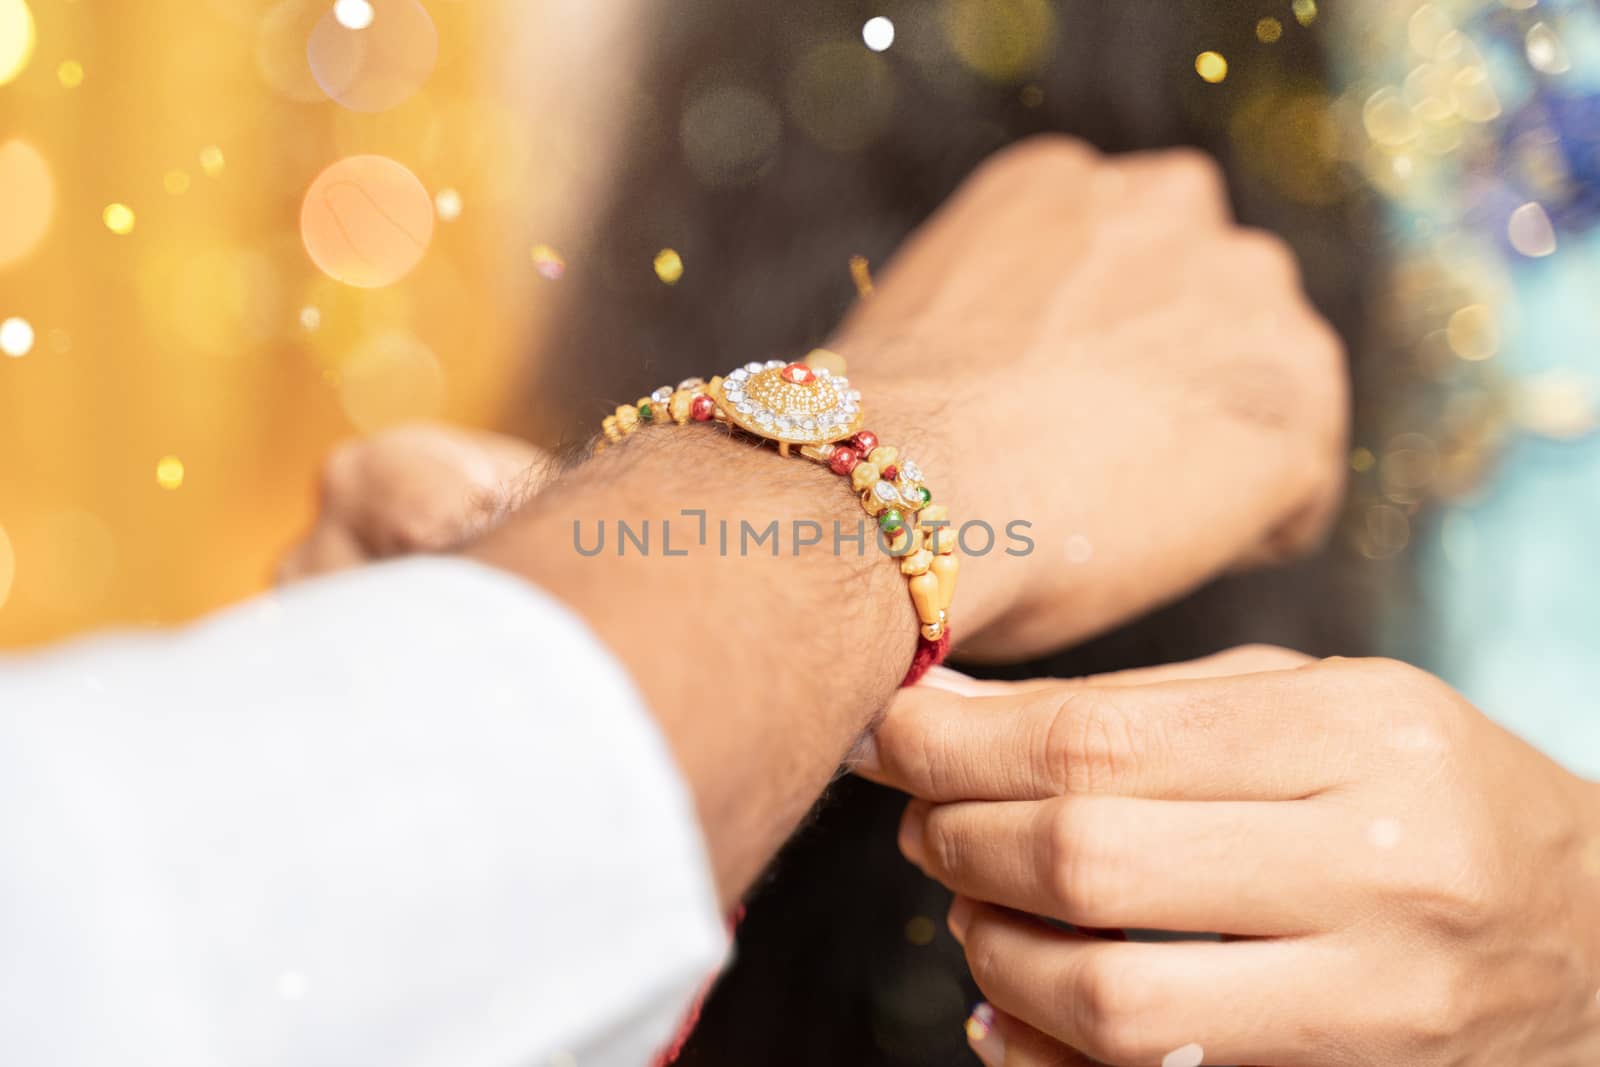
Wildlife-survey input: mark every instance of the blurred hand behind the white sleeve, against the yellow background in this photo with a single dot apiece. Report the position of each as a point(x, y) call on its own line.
point(414, 489)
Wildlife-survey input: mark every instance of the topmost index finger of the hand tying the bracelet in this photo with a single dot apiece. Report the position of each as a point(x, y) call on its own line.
point(1262, 737)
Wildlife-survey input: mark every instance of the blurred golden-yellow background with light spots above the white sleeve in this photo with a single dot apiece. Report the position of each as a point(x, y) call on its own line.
point(177, 366)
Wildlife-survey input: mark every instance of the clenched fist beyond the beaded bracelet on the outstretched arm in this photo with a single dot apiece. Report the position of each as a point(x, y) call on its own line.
point(1090, 345)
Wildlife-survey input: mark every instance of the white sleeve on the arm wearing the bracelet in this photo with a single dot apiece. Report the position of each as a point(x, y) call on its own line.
point(412, 817)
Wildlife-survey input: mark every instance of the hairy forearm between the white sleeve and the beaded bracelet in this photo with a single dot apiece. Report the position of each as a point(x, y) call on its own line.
point(761, 669)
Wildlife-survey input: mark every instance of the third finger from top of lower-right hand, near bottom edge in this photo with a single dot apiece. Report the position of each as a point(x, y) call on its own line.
point(1137, 1004)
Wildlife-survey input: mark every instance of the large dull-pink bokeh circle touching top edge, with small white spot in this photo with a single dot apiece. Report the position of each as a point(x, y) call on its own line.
point(377, 66)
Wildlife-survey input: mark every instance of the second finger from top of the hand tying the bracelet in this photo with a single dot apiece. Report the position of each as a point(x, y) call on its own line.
point(1105, 863)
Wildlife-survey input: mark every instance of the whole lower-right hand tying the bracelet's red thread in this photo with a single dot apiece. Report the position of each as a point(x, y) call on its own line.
point(1407, 882)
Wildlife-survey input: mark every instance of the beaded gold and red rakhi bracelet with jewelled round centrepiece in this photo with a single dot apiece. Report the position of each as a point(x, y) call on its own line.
point(810, 409)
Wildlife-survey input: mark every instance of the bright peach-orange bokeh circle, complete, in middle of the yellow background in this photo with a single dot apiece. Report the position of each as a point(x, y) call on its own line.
point(367, 222)
